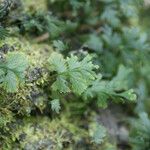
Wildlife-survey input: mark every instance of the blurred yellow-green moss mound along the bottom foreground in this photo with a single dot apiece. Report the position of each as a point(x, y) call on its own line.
point(41, 132)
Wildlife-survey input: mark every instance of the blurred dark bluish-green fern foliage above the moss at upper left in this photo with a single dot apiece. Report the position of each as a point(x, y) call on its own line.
point(43, 22)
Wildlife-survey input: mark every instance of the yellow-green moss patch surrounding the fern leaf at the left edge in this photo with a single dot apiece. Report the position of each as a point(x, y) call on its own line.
point(30, 96)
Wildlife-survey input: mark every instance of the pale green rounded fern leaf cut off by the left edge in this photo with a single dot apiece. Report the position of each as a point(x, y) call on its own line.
point(12, 71)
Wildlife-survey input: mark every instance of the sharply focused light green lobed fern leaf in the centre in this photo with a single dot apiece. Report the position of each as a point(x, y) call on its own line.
point(72, 74)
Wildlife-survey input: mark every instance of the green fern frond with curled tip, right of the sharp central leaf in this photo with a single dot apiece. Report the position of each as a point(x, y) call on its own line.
point(105, 90)
